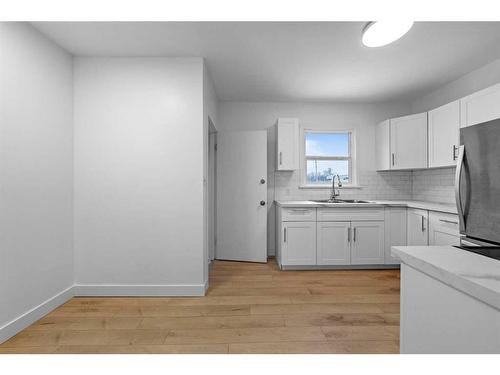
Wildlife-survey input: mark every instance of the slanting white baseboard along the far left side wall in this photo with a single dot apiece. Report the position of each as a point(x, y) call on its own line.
point(18, 324)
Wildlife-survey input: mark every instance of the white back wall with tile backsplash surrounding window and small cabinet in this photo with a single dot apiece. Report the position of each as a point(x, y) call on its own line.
point(238, 116)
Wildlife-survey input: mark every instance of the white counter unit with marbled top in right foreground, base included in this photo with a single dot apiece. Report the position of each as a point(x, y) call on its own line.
point(450, 300)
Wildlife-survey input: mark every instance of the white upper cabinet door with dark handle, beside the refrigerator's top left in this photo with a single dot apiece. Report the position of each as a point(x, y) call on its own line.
point(444, 124)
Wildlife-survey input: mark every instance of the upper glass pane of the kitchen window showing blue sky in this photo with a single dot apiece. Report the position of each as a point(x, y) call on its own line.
point(327, 144)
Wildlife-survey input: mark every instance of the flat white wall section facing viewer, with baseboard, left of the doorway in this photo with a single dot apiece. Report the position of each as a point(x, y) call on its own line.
point(139, 164)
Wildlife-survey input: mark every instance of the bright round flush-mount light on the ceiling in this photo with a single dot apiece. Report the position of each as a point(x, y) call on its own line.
point(381, 33)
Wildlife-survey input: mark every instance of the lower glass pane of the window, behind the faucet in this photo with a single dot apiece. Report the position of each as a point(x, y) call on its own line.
point(322, 171)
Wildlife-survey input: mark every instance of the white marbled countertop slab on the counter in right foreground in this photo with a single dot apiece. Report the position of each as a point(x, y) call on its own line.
point(473, 274)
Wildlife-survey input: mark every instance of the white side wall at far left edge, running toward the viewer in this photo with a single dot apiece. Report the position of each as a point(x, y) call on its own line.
point(36, 175)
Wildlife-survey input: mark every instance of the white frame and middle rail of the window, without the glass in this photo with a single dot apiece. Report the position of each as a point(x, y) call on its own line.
point(352, 152)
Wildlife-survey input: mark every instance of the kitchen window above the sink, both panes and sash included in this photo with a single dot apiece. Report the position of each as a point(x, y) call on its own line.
point(326, 154)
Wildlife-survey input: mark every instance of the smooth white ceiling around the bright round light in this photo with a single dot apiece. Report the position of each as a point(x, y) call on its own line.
point(297, 61)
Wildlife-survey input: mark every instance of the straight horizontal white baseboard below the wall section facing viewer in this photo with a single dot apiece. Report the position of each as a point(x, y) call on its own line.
point(138, 290)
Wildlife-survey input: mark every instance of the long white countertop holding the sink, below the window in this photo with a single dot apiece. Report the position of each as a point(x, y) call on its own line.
point(431, 206)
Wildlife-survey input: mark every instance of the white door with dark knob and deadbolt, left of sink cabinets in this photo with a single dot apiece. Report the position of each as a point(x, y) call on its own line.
point(242, 196)
